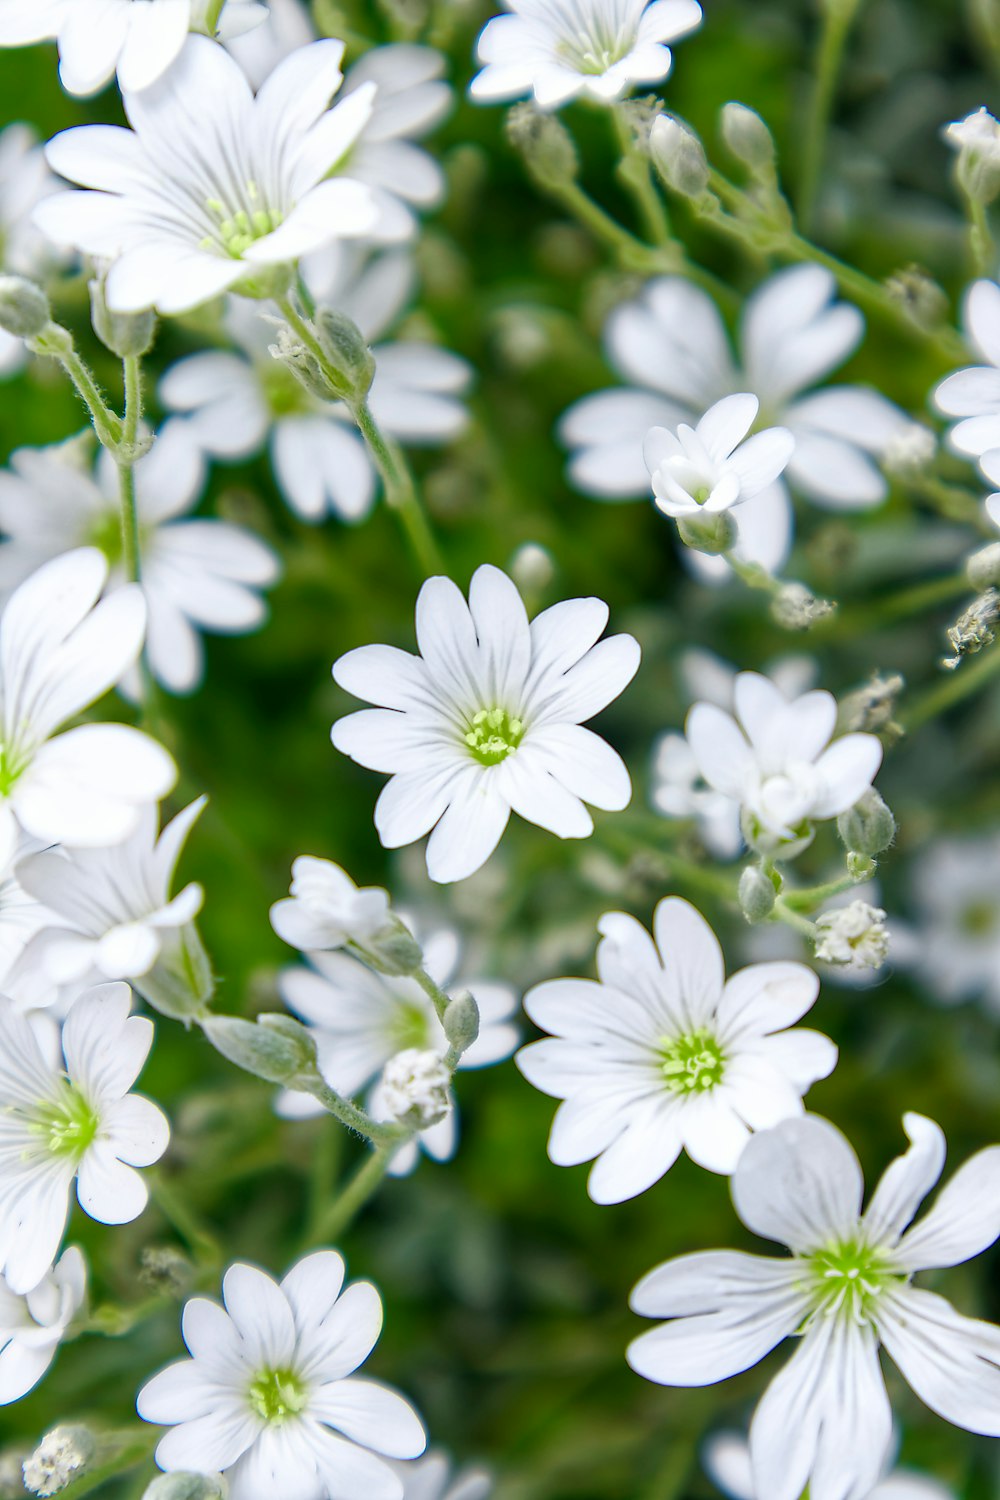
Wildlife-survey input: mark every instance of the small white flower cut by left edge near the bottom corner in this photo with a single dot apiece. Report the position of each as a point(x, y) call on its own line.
point(34, 1324)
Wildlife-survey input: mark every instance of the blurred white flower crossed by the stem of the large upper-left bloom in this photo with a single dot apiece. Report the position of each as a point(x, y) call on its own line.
point(238, 403)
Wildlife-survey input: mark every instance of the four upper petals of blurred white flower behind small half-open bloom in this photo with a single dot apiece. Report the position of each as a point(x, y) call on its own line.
point(674, 350)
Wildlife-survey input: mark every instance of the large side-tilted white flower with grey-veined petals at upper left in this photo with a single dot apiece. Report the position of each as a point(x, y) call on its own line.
point(214, 188)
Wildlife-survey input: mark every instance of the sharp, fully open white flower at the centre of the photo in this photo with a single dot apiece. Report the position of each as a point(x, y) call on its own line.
point(488, 721)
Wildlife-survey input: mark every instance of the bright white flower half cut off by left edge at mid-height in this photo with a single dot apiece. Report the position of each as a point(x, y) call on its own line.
point(59, 652)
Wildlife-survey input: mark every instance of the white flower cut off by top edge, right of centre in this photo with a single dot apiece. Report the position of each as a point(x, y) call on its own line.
point(558, 50)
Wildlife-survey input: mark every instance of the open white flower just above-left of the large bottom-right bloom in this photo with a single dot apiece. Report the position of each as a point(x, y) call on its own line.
point(663, 1054)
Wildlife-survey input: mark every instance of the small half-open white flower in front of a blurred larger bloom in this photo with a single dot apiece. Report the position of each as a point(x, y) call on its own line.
point(714, 466)
